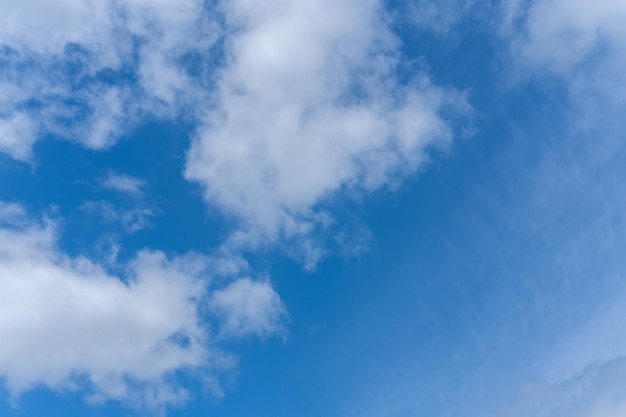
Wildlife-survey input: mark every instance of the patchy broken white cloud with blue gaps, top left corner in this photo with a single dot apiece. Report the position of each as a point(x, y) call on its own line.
point(87, 71)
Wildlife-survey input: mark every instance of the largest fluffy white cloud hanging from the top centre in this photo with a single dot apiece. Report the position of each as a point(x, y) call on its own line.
point(308, 105)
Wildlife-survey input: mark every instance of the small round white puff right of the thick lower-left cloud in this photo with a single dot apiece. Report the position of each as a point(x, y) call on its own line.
point(247, 308)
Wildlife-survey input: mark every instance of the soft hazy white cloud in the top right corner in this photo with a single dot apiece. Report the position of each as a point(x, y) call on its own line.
point(584, 43)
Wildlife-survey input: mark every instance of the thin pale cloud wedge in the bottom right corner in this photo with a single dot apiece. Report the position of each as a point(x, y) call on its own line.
point(584, 374)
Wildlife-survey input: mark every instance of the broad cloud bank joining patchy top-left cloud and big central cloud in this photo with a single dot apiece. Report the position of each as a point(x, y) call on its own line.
point(297, 100)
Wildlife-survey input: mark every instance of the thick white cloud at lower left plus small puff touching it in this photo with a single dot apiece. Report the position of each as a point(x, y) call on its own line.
point(65, 320)
